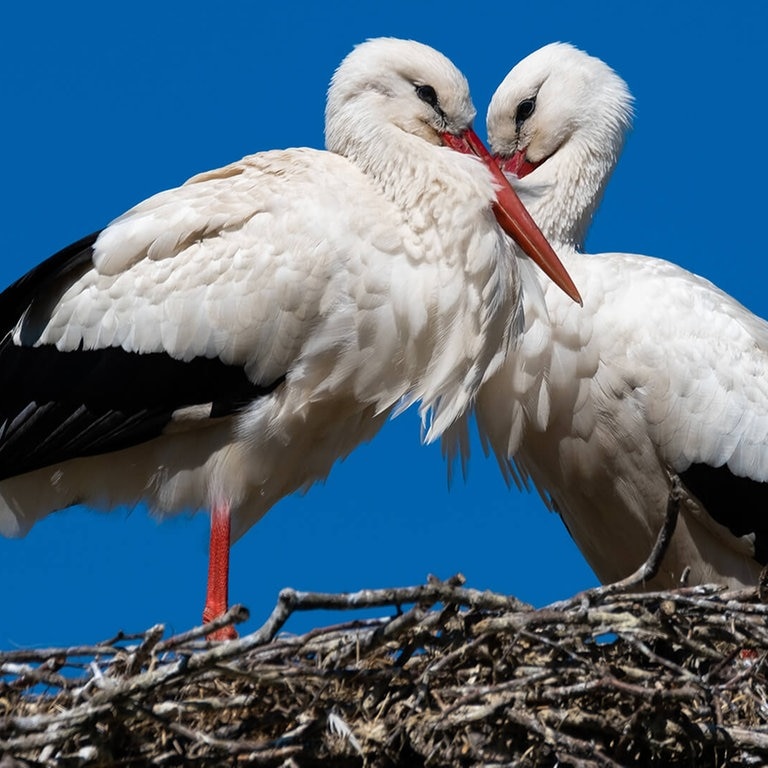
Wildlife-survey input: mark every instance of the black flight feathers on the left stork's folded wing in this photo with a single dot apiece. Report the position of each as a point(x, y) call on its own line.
point(56, 405)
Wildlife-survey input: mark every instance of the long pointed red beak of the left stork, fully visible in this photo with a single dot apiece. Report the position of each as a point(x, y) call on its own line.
point(512, 216)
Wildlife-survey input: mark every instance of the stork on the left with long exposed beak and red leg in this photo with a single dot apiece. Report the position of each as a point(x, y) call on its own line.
point(222, 344)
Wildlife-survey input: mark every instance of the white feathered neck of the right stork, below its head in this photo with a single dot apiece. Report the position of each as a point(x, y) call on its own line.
point(563, 193)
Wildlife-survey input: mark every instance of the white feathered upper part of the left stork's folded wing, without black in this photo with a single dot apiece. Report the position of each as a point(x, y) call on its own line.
point(249, 287)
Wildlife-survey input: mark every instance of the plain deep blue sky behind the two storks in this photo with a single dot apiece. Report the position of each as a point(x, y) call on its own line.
point(103, 105)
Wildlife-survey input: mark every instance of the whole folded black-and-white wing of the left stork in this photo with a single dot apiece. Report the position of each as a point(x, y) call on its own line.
point(198, 301)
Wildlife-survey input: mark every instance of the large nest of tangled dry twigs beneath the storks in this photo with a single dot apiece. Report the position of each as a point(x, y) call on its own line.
point(449, 676)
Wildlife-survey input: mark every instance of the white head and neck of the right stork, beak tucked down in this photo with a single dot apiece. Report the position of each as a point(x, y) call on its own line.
point(561, 116)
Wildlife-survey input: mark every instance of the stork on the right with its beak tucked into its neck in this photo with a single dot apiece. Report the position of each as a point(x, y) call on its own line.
point(659, 373)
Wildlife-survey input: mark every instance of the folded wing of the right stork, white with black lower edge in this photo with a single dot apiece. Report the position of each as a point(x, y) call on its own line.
point(697, 361)
